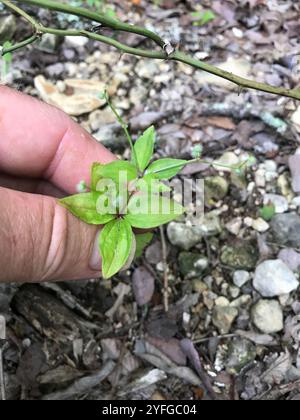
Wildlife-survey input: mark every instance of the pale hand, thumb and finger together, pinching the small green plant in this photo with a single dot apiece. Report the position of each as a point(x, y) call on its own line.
point(43, 154)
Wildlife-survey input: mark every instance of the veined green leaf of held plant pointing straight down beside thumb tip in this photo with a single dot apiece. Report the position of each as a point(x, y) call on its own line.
point(115, 242)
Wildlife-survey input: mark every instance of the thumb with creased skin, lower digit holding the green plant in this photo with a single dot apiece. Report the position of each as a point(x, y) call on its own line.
point(42, 241)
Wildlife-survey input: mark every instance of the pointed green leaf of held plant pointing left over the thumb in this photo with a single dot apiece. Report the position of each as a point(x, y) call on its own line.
point(84, 206)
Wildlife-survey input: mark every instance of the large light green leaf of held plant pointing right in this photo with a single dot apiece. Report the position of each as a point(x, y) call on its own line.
point(149, 211)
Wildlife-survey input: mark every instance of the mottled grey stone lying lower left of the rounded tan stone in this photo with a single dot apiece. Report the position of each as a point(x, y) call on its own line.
point(241, 352)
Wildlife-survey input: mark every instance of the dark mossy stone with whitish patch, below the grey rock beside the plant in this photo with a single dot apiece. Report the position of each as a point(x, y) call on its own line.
point(192, 265)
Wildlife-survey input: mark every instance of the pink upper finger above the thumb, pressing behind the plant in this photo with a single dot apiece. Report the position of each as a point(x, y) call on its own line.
point(38, 140)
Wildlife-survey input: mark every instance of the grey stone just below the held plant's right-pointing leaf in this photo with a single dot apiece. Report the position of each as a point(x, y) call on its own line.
point(183, 236)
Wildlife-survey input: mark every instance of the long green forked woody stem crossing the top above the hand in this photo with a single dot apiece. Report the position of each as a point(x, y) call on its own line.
point(117, 25)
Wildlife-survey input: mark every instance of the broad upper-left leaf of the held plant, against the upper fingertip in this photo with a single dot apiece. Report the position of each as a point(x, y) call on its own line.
point(113, 171)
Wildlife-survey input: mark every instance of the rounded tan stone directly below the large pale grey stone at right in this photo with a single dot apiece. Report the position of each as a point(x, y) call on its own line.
point(267, 316)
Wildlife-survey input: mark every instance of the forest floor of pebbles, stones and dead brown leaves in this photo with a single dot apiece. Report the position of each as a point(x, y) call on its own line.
point(233, 326)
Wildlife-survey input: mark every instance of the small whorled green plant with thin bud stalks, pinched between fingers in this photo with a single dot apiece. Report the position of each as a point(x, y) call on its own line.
point(127, 195)
